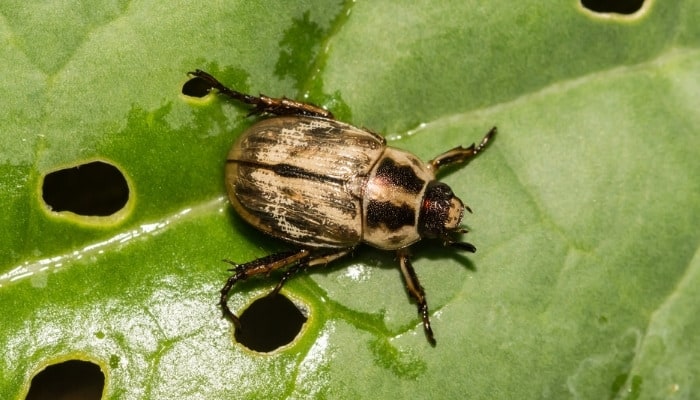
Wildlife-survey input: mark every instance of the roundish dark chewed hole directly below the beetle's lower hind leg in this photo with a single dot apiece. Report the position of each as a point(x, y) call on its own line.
point(269, 323)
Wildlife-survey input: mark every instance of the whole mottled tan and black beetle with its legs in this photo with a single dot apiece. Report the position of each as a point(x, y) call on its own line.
point(326, 186)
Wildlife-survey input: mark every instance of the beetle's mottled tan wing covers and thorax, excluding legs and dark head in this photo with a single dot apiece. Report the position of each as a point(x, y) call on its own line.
point(321, 183)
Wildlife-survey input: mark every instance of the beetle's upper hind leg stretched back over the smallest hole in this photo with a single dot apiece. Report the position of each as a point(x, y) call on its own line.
point(263, 104)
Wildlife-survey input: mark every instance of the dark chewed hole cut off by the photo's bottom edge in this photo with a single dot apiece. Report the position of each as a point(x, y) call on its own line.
point(73, 379)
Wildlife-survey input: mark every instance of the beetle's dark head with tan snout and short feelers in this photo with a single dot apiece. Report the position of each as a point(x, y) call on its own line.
point(441, 214)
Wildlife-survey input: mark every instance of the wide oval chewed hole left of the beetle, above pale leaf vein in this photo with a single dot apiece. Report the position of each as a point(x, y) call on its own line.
point(93, 189)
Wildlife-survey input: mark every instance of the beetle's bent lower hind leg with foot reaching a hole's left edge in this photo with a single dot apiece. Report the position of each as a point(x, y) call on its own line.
point(262, 265)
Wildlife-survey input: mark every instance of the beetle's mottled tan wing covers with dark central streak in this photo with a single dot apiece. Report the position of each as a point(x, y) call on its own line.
point(301, 179)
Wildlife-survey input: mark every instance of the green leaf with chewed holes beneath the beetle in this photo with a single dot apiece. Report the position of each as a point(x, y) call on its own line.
point(586, 206)
